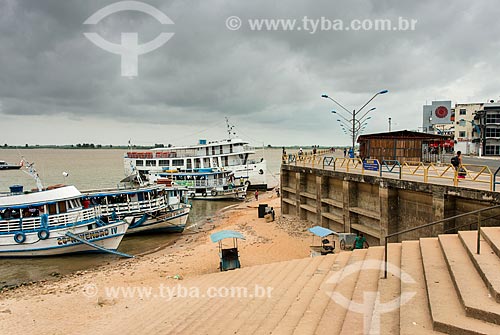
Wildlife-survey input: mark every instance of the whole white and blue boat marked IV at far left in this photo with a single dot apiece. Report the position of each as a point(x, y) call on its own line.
point(54, 222)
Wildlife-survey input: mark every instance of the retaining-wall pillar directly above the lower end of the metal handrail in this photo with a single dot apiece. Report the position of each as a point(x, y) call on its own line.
point(389, 220)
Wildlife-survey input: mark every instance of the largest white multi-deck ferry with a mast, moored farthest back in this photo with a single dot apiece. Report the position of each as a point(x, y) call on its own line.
point(231, 154)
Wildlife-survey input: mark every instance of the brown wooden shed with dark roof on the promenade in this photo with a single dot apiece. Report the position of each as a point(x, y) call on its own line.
point(403, 146)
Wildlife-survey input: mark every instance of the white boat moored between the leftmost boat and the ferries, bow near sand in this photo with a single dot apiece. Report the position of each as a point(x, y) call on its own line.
point(145, 208)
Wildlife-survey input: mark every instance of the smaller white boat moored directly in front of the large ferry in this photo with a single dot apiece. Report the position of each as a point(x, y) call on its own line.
point(204, 184)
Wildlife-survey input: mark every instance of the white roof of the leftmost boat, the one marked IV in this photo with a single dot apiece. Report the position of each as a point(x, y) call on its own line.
point(40, 198)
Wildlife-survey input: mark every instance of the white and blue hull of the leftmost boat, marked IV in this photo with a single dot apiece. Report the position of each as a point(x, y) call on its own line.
point(107, 236)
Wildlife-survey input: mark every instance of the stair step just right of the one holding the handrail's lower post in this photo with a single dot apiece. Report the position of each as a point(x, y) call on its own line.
point(414, 316)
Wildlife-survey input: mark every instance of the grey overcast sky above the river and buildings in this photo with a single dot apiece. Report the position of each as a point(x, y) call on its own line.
point(58, 87)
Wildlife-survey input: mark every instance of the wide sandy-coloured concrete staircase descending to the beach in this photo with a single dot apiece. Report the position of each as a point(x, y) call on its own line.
point(434, 286)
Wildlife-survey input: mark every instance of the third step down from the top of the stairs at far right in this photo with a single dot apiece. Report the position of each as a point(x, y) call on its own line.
point(470, 287)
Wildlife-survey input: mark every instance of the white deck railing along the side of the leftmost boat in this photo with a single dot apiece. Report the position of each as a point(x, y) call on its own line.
point(55, 220)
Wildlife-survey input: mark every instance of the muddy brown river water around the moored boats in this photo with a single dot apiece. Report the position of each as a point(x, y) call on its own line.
point(92, 169)
